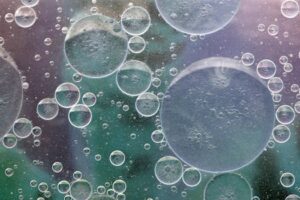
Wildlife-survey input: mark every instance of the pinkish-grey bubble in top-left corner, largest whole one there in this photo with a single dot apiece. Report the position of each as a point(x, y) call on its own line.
point(25, 17)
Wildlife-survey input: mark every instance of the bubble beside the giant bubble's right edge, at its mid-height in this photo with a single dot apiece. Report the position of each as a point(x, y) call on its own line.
point(285, 114)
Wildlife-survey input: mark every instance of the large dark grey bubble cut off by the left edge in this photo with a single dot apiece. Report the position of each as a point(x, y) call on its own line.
point(11, 93)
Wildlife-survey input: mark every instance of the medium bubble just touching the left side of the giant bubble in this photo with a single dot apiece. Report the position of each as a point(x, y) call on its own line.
point(147, 104)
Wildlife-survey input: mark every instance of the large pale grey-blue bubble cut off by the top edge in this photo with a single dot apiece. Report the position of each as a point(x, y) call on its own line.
point(199, 17)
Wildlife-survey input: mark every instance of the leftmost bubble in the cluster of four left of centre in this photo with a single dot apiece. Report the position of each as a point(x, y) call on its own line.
point(47, 109)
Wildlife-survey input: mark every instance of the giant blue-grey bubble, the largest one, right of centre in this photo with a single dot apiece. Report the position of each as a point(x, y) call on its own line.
point(238, 119)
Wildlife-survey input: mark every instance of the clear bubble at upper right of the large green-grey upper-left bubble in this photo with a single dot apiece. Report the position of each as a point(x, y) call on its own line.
point(135, 20)
